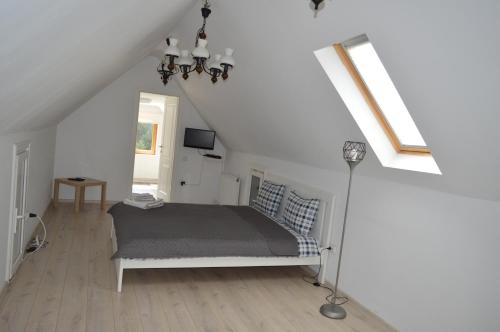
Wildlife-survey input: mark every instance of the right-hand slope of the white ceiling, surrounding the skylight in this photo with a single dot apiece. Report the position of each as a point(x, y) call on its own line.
point(442, 56)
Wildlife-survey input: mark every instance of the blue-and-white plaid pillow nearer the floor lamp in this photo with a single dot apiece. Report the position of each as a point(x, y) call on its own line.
point(300, 213)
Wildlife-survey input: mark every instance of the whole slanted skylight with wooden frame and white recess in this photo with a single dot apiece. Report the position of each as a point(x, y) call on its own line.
point(369, 94)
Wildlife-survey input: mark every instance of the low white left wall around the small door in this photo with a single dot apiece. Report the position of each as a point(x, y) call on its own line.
point(39, 182)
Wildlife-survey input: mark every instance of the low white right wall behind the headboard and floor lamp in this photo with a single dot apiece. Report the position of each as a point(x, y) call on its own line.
point(421, 259)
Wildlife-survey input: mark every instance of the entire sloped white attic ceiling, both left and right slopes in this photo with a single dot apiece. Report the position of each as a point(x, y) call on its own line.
point(442, 56)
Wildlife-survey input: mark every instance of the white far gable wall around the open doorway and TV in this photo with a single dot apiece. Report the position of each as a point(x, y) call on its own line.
point(98, 140)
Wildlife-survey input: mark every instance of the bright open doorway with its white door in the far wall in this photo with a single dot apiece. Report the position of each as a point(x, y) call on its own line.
point(155, 145)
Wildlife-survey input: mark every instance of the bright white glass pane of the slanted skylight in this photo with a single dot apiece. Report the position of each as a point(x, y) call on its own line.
point(372, 71)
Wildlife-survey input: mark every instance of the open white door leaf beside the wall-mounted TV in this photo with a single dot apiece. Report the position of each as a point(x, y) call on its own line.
point(167, 149)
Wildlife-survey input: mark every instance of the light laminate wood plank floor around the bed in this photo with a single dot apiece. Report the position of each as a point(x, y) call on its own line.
point(70, 286)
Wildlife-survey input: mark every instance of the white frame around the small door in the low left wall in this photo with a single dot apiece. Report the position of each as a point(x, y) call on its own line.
point(16, 150)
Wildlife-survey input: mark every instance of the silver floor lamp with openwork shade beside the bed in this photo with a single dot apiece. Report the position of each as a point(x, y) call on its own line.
point(354, 152)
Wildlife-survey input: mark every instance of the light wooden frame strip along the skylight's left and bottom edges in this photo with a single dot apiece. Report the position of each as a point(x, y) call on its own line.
point(373, 105)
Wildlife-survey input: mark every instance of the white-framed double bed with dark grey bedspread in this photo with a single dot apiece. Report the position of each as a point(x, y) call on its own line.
point(197, 236)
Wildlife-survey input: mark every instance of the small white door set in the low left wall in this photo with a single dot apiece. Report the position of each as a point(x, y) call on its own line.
point(18, 207)
